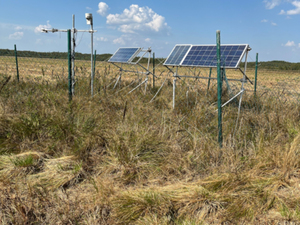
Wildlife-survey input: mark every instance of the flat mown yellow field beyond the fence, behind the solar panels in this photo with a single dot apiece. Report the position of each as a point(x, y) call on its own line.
point(53, 69)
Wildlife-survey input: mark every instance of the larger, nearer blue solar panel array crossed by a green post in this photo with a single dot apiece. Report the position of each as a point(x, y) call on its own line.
point(206, 56)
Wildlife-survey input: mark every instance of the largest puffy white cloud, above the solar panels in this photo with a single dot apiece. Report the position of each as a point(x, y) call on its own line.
point(137, 19)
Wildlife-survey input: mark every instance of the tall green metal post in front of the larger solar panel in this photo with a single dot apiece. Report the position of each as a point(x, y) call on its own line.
point(220, 82)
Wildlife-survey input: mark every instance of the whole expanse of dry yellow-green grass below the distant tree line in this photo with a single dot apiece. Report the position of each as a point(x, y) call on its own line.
point(116, 158)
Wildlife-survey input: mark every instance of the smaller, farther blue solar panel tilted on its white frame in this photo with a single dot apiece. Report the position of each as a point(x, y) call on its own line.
point(124, 55)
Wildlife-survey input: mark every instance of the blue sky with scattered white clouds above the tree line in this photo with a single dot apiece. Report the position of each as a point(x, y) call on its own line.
point(270, 27)
